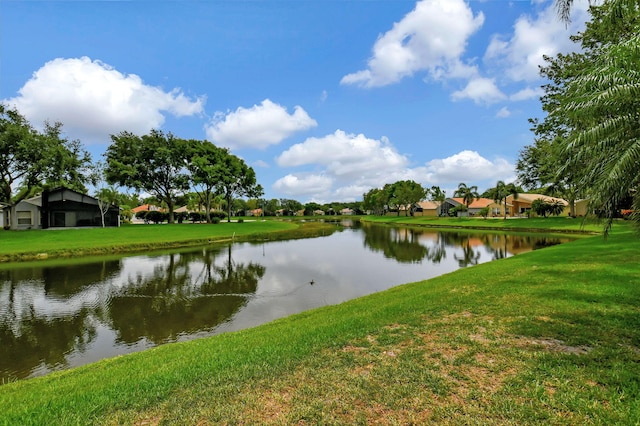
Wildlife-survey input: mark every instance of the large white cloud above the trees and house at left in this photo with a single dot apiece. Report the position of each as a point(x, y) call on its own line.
point(93, 100)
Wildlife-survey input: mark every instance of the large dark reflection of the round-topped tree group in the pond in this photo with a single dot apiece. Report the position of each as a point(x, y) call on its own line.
point(189, 293)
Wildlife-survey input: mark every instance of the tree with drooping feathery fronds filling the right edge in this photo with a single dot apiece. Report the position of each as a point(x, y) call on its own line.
point(600, 105)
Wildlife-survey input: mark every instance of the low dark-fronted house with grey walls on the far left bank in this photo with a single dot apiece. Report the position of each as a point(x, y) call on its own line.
point(60, 208)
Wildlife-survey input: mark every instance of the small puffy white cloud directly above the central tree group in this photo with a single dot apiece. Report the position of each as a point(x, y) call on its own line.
point(257, 127)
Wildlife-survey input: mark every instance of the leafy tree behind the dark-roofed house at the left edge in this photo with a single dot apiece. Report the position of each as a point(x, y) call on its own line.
point(31, 160)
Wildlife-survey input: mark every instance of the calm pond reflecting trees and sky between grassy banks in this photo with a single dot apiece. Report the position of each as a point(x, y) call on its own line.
point(58, 317)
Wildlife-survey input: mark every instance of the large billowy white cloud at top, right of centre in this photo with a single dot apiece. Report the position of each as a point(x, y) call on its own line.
point(430, 38)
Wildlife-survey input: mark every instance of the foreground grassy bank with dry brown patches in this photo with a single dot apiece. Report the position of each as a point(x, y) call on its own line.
point(547, 337)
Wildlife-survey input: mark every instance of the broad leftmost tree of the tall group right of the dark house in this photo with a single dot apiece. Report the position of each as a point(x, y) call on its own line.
point(153, 163)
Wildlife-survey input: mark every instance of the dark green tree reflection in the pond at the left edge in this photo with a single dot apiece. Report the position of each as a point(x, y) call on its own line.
point(30, 339)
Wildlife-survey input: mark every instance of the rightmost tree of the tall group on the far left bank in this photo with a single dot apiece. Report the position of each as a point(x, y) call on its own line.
point(236, 179)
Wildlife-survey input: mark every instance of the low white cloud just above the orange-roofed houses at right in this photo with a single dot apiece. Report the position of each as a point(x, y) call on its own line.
point(470, 167)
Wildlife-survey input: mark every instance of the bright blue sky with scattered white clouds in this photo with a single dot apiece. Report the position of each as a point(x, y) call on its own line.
point(324, 99)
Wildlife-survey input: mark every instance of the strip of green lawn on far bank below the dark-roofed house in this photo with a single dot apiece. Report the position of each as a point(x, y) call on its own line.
point(38, 244)
